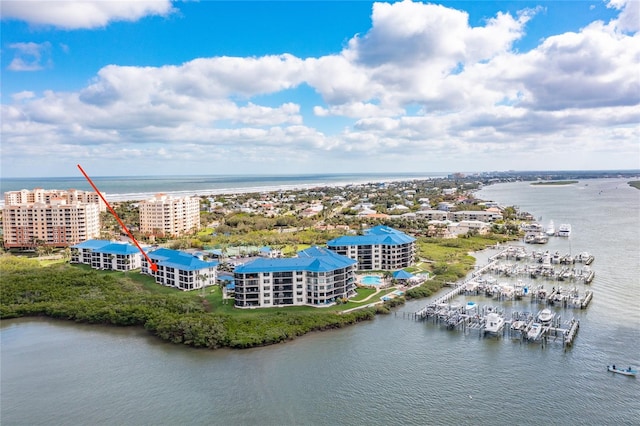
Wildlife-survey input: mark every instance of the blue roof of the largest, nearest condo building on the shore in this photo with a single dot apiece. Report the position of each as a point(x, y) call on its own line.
point(313, 259)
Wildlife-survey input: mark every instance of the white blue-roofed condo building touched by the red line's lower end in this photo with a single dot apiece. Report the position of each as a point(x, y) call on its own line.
point(181, 270)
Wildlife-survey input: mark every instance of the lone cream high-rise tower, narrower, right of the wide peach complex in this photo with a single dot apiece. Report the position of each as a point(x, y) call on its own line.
point(169, 216)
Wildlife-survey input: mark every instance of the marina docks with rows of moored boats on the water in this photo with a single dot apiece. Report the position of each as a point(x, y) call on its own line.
point(544, 327)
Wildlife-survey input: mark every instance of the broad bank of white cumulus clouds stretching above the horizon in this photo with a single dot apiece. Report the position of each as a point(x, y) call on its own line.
point(422, 86)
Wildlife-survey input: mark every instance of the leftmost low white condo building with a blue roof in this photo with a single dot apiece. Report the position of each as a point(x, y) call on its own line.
point(104, 254)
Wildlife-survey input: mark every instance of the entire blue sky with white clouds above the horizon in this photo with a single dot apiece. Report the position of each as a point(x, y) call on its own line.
point(289, 87)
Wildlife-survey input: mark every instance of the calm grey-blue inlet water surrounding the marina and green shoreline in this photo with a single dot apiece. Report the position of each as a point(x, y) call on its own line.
point(387, 371)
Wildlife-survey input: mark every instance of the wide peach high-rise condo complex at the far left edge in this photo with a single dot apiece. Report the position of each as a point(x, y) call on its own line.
point(55, 223)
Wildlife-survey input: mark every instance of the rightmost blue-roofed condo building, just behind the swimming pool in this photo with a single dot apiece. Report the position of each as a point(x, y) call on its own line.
point(380, 248)
